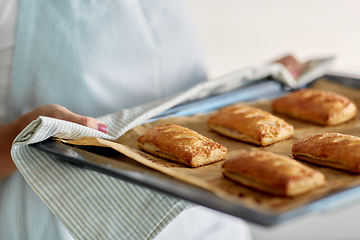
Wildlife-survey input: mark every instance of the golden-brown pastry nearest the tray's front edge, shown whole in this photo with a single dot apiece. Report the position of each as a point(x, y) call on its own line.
point(272, 173)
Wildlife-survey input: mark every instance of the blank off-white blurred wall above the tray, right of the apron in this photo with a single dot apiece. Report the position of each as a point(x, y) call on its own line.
point(240, 33)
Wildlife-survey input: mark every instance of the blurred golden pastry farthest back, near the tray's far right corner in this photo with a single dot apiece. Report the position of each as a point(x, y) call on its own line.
point(317, 106)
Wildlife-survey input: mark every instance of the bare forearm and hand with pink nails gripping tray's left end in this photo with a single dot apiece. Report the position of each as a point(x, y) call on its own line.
point(10, 131)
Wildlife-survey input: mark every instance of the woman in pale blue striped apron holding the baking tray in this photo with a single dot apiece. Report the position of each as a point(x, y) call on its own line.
point(75, 59)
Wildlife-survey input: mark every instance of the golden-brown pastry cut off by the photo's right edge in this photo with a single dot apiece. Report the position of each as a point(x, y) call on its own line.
point(330, 149)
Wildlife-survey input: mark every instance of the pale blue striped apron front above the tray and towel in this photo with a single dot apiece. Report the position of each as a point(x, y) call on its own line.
point(99, 57)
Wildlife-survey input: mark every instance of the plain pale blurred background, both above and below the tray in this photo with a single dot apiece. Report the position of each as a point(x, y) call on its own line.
point(239, 33)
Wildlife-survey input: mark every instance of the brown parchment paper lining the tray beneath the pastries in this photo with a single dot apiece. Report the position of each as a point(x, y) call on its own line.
point(210, 177)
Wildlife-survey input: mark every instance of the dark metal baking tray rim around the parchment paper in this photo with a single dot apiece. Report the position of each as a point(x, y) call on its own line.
point(111, 163)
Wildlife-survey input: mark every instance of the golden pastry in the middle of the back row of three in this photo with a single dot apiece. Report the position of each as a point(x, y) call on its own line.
point(251, 125)
